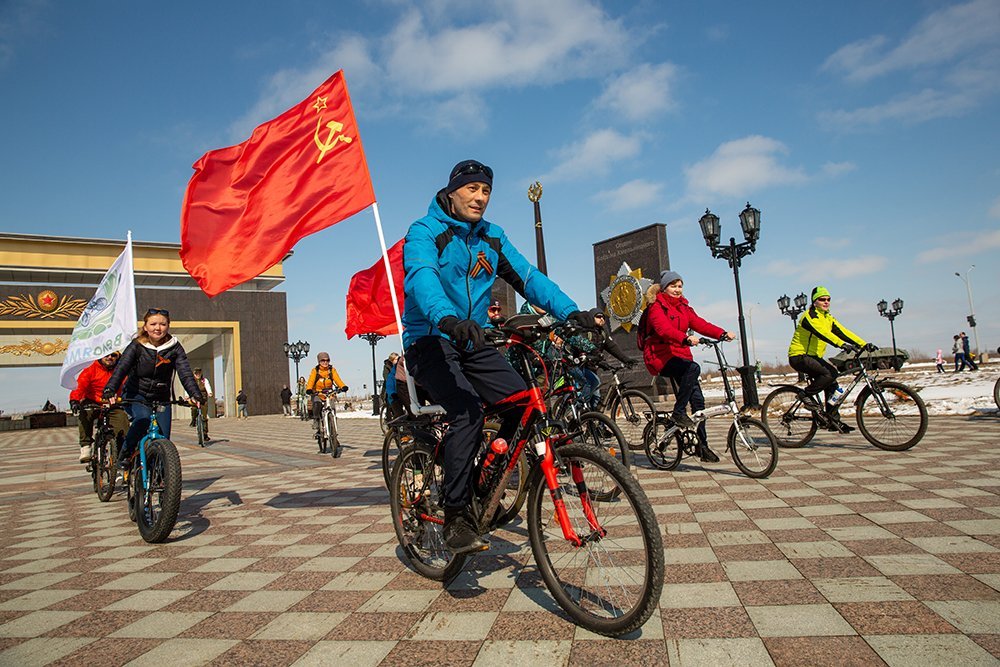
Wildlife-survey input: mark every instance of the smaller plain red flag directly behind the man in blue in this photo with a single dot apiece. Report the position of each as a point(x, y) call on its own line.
point(369, 301)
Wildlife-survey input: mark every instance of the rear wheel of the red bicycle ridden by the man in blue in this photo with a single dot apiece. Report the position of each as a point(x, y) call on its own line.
point(415, 497)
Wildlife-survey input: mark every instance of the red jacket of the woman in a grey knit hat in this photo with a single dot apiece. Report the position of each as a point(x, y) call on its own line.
point(667, 325)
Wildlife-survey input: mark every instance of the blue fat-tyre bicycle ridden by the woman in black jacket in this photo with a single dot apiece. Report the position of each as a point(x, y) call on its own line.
point(153, 479)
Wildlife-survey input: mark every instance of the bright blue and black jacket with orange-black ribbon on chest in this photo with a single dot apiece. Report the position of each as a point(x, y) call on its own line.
point(450, 269)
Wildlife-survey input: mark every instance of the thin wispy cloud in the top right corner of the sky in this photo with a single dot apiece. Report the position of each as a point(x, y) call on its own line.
point(942, 36)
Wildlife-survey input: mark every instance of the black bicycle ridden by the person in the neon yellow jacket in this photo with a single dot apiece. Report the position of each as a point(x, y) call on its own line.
point(890, 414)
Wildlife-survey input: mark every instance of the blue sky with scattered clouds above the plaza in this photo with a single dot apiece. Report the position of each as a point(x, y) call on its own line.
point(865, 132)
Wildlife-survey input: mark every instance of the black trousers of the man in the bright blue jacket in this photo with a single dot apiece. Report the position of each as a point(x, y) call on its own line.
point(462, 381)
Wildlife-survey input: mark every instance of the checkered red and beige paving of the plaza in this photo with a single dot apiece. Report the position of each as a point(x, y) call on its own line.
point(846, 555)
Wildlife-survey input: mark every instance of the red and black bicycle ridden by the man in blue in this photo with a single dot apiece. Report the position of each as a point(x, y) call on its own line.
point(591, 528)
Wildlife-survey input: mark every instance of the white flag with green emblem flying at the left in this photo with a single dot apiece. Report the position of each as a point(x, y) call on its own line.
point(107, 324)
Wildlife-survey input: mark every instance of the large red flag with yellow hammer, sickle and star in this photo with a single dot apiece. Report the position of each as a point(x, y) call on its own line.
point(247, 205)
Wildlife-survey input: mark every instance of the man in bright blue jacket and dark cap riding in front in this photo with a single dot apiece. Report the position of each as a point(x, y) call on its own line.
point(451, 257)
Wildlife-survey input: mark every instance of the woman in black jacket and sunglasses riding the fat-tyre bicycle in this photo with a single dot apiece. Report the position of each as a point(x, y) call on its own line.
point(150, 362)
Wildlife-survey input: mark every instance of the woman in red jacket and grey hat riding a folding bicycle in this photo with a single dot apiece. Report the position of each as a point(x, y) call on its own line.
point(667, 351)
